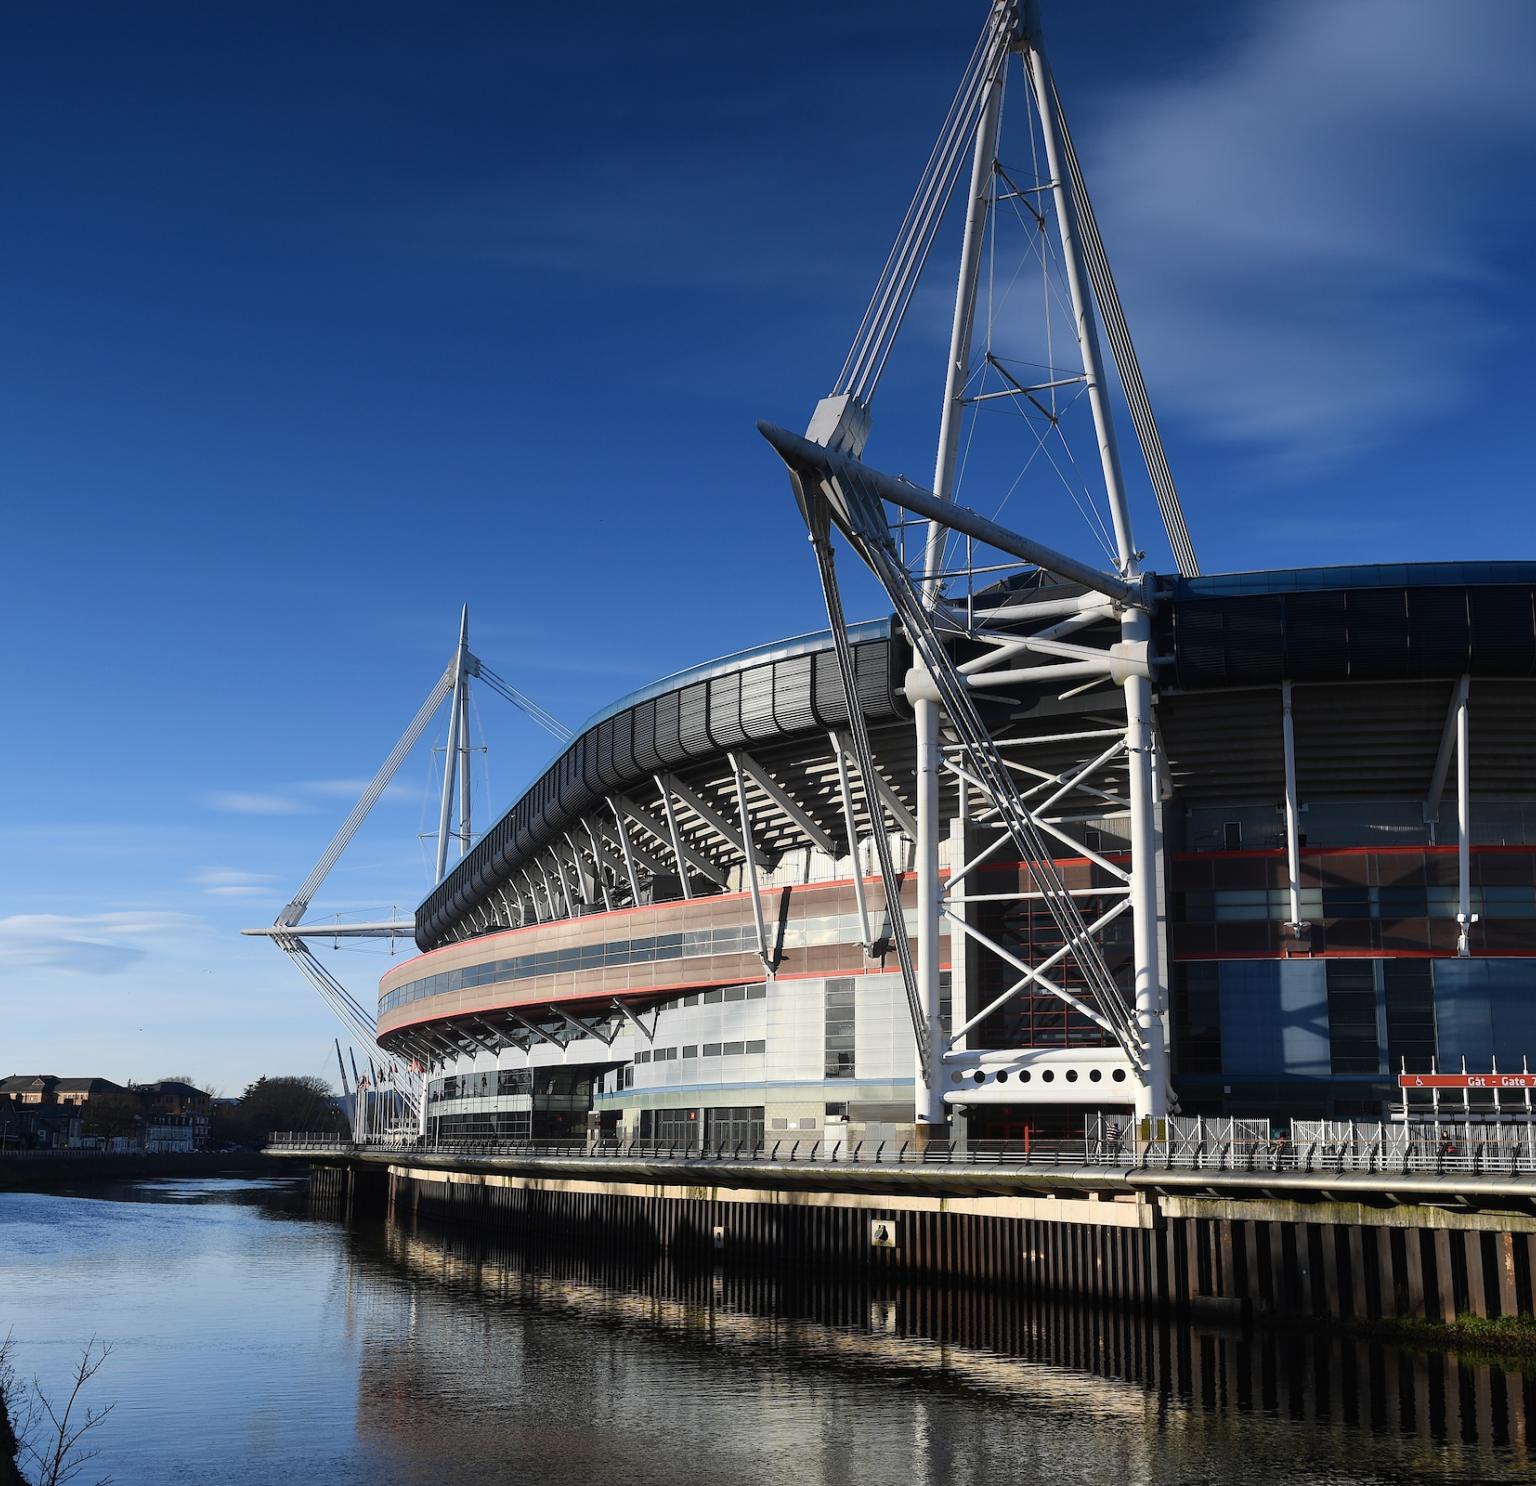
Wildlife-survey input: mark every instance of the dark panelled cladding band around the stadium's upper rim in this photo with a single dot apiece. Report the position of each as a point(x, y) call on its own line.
point(1362, 623)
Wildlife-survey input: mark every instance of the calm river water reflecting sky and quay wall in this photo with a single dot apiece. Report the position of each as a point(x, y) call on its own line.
point(257, 1339)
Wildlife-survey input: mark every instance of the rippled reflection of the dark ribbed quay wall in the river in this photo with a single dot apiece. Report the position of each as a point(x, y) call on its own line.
point(1368, 1411)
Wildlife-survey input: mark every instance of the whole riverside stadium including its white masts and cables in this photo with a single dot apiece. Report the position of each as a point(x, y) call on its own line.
point(1056, 840)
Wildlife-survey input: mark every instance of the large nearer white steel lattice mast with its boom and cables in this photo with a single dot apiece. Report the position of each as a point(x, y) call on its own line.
point(1094, 634)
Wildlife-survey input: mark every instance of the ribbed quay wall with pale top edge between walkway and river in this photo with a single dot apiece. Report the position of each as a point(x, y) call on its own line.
point(1323, 1256)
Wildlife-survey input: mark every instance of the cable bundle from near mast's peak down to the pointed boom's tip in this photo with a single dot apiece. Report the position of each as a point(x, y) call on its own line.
point(904, 270)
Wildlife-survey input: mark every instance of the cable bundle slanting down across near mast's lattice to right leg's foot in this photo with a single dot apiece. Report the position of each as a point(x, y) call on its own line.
point(870, 534)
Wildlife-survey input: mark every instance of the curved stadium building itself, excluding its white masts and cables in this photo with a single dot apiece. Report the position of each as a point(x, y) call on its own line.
point(678, 934)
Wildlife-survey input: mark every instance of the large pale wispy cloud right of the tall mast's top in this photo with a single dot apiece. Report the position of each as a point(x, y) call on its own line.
point(1311, 227)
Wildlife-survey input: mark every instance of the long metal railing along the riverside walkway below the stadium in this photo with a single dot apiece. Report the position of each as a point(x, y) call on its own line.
point(1449, 1153)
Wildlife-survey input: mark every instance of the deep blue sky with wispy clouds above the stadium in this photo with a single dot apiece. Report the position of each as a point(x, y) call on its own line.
point(320, 322)
